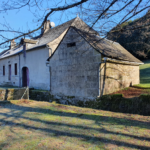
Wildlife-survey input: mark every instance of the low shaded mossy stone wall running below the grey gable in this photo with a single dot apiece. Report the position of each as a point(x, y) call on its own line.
point(116, 103)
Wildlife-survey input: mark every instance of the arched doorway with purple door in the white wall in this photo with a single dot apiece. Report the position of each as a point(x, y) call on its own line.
point(25, 77)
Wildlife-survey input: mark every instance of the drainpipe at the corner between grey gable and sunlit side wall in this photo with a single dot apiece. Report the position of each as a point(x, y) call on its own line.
point(99, 75)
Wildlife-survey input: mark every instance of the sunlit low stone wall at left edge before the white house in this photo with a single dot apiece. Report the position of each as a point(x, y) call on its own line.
point(12, 94)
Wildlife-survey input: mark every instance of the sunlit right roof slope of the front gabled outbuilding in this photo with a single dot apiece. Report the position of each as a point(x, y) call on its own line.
point(107, 47)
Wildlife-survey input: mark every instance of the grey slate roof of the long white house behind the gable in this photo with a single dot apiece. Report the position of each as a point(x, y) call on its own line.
point(51, 35)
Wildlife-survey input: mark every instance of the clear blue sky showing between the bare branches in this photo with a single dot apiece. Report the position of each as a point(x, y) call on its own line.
point(23, 19)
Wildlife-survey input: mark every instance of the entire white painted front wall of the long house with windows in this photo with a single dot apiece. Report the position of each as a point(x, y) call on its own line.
point(39, 75)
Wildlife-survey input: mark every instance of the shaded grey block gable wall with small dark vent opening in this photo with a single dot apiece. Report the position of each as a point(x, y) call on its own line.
point(75, 69)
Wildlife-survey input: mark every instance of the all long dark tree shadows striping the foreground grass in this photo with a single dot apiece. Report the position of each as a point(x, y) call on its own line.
point(56, 132)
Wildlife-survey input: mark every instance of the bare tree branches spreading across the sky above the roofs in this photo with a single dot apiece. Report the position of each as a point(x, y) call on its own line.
point(100, 15)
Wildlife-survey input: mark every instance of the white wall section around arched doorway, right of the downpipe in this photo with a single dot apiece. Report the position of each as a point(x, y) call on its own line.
point(39, 75)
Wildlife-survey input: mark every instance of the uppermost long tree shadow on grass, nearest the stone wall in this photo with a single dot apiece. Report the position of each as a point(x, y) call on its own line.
point(96, 118)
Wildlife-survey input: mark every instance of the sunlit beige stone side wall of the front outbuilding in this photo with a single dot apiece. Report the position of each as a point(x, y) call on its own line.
point(118, 76)
